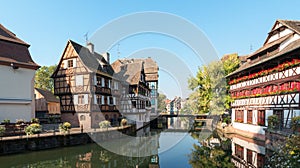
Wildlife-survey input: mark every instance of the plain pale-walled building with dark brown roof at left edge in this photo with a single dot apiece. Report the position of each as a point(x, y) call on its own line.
point(17, 71)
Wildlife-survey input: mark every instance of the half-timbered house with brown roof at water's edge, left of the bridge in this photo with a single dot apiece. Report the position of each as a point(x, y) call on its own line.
point(135, 97)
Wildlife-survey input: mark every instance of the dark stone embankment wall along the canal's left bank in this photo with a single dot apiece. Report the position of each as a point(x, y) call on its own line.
point(18, 144)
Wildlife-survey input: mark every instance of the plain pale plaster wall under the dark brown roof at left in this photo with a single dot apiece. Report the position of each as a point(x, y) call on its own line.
point(16, 93)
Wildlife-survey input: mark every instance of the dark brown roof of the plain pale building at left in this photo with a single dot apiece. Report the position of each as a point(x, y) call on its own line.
point(14, 50)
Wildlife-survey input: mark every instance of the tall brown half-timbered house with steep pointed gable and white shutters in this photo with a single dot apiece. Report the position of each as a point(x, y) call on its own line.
point(85, 85)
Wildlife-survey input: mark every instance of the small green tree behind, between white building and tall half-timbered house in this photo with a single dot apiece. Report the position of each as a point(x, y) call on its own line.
point(43, 78)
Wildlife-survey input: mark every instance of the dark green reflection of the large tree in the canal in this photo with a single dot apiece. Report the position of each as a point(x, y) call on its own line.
point(209, 153)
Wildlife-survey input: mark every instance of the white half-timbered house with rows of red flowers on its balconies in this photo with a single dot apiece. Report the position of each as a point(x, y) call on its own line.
point(268, 82)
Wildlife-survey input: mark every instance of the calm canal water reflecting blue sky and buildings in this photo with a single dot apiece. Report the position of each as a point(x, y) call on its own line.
point(177, 146)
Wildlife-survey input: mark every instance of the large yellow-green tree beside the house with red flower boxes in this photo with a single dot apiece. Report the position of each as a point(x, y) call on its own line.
point(210, 88)
